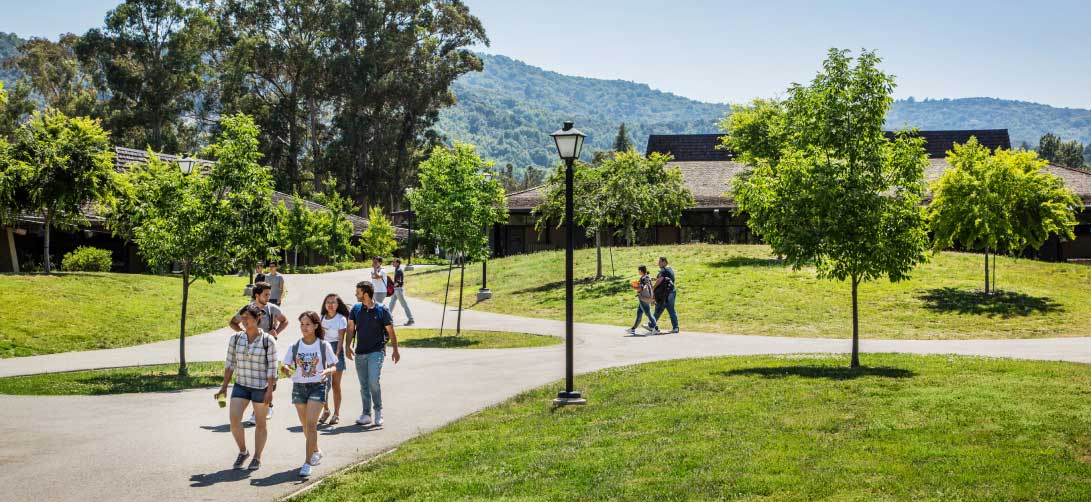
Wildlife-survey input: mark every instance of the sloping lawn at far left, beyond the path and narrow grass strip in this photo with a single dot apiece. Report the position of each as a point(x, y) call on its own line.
point(85, 312)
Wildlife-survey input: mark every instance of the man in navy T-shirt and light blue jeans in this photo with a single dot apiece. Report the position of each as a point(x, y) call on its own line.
point(369, 328)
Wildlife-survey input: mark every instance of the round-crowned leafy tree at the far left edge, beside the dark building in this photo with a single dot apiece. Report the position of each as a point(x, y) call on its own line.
point(63, 164)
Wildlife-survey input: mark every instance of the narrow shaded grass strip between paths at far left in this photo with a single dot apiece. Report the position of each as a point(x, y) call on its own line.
point(116, 380)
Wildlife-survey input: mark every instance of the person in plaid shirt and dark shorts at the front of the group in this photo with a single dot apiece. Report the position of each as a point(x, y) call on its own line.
point(251, 360)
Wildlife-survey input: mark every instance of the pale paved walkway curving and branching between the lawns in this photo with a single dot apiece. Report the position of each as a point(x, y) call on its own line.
point(177, 447)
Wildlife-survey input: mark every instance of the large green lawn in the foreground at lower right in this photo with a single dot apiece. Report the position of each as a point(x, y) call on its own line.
point(772, 428)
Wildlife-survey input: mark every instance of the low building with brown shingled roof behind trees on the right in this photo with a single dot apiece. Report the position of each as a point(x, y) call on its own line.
point(709, 172)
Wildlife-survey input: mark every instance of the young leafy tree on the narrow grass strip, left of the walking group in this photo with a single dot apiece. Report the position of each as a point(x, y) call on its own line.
point(207, 223)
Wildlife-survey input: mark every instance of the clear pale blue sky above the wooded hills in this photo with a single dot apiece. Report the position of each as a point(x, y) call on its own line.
point(733, 52)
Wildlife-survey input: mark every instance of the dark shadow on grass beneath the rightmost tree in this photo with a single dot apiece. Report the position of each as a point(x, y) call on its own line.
point(1004, 304)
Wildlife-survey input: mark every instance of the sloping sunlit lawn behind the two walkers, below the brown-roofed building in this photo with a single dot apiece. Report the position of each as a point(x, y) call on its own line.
point(744, 290)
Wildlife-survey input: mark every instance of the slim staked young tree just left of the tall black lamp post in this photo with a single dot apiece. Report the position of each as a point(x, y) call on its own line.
point(457, 202)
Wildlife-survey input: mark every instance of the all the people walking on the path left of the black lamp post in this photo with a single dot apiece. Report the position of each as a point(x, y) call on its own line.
point(316, 363)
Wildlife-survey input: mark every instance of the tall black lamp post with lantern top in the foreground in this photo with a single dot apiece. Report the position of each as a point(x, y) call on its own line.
point(569, 141)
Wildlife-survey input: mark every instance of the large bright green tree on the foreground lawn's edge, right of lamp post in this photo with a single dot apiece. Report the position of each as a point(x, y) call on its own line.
point(835, 194)
